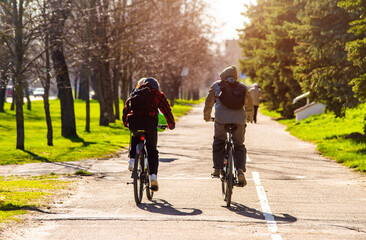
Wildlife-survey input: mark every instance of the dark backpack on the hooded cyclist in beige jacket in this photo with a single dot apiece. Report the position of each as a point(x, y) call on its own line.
point(232, 95)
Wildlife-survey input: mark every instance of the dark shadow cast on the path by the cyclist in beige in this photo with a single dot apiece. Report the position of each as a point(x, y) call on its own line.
point(255, 214)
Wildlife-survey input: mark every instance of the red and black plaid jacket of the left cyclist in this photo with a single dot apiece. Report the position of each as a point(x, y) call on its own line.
point(159, 101)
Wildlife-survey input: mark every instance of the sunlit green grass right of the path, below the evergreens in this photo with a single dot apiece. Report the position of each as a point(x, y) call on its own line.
point(332, 135)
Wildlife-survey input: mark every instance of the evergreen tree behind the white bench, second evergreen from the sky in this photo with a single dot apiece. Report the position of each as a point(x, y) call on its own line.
point(323, 68)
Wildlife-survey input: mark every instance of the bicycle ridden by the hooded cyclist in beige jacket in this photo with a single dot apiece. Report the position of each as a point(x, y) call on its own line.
point(229, 177)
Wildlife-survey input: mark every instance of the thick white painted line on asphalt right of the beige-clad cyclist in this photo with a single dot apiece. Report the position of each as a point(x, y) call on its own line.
point(271, 223)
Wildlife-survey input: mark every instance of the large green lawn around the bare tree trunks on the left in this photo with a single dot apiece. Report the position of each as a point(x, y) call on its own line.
point(100, 142)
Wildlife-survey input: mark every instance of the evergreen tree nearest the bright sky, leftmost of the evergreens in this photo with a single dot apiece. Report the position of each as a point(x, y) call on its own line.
point(268, 55)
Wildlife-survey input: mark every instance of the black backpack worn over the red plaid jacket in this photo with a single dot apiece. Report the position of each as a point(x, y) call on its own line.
point(140, 99)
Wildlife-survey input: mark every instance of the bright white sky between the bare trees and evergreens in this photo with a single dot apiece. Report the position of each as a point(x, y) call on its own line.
point(228, 16)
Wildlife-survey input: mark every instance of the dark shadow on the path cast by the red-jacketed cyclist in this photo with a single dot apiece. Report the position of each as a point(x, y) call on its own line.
point(163, 207)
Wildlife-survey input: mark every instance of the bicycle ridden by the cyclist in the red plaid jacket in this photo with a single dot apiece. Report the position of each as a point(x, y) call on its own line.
point(140, 173)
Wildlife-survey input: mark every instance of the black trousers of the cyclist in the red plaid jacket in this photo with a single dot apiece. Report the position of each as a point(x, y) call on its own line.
point(151, 135)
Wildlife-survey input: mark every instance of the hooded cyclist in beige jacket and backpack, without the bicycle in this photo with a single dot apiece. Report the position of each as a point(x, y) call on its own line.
point(233, 104)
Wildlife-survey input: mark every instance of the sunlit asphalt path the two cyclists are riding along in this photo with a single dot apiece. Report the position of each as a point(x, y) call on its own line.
point(292, 193)
